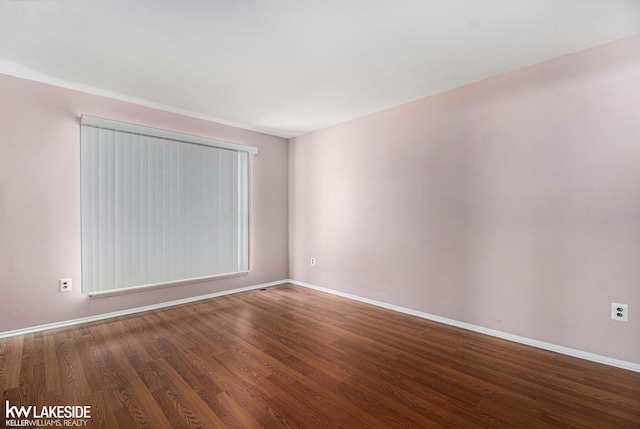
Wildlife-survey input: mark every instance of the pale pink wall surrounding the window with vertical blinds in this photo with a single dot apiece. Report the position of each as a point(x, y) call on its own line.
point(39, 203)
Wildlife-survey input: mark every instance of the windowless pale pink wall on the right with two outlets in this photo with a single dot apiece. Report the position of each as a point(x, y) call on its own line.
point(512, 203)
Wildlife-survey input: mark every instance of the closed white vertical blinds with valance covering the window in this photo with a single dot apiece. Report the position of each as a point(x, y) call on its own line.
point(159, 207)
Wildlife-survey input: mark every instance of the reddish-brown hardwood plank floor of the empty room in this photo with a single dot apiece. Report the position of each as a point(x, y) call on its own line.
point(292, 357)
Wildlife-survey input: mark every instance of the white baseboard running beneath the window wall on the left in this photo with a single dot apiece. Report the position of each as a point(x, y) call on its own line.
point(130, 311)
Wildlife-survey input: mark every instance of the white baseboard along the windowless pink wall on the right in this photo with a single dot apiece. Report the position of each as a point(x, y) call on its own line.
point(631, 366)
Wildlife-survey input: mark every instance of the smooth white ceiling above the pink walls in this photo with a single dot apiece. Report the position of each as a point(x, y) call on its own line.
point(288, 67)
